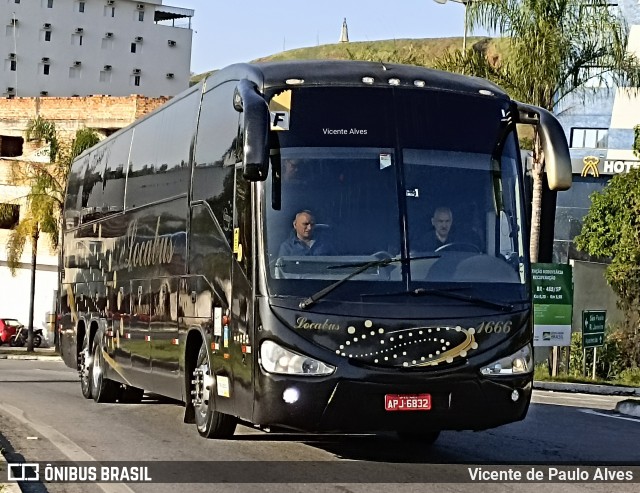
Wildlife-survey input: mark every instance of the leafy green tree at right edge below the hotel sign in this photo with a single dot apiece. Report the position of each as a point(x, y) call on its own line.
point(611, 229)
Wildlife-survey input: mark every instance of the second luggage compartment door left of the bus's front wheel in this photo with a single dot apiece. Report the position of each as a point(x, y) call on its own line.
point(138, 337)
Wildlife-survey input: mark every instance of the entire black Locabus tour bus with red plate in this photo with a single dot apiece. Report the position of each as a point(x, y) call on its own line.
point(174, 279)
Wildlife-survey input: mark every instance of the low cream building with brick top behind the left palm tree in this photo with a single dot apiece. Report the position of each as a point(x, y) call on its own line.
point(102, 113)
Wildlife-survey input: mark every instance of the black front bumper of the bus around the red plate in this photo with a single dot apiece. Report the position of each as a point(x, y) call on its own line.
point(348, 406)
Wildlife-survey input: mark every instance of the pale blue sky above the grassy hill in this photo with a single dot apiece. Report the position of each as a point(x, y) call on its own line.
point(227, 32)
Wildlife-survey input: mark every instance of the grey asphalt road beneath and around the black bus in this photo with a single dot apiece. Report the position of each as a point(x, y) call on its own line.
point(45, 418)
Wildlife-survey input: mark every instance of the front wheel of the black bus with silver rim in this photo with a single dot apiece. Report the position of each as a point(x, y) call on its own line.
point(210, 423)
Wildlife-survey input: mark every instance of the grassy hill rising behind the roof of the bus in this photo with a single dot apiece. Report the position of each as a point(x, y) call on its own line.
point(412, 51)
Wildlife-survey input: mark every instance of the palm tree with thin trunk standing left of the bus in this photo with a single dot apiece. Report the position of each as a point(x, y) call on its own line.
point(46, 183)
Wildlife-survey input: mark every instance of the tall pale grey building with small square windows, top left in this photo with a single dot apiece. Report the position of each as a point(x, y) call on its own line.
point(87, 47)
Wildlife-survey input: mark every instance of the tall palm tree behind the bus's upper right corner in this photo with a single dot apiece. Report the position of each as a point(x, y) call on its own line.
point(554, 48)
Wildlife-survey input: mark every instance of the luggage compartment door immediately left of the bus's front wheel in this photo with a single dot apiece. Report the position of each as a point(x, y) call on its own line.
point(163, 332)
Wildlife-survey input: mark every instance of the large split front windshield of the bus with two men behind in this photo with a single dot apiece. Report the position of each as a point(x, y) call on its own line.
point(423, 213)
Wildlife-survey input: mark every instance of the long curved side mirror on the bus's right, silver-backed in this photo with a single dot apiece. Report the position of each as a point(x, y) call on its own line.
point(554, 144)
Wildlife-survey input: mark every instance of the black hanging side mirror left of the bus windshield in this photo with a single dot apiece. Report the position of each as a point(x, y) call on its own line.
point(255, 114)
